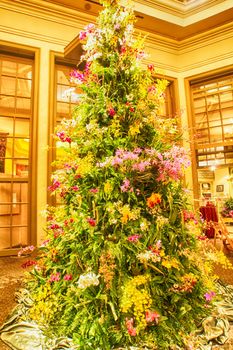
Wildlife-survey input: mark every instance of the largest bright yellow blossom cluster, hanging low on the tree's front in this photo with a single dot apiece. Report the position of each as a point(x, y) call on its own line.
point(136, 300)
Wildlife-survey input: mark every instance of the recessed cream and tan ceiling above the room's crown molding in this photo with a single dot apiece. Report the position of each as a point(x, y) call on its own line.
point(174, 19)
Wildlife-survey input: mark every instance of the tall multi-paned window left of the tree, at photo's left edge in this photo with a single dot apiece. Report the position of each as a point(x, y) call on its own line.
point(16, 74)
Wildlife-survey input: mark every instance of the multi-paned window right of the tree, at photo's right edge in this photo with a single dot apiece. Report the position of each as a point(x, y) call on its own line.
point(212, 102)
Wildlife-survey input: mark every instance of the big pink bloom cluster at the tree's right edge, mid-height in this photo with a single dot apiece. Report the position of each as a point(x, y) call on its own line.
point(171, 163)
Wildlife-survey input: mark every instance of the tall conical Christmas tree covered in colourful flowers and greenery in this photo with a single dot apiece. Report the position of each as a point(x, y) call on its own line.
point(121, 265)
